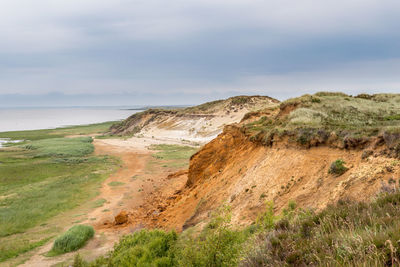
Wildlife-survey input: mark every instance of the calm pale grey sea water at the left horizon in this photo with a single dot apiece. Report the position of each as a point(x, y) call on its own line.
point(46, 118)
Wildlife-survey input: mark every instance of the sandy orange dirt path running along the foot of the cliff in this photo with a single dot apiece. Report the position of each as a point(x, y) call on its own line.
point(133, 188)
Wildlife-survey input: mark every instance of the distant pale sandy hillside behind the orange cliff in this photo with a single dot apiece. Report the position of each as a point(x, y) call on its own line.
point(198, 124)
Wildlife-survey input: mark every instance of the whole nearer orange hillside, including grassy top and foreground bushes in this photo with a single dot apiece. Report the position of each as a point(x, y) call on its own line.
point(313, 181)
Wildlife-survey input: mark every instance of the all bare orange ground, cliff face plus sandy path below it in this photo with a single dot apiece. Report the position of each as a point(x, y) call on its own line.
point(230, 169)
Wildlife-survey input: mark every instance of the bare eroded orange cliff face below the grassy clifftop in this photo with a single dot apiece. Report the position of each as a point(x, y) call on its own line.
point(245, 174)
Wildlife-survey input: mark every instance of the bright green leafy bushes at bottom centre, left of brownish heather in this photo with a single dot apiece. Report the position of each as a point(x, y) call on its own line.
point(217, 245)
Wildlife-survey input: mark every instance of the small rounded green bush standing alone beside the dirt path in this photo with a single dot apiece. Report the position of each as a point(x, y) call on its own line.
point(75, 238)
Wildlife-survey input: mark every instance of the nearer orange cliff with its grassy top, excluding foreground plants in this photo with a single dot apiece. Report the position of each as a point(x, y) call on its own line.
point(314, 150)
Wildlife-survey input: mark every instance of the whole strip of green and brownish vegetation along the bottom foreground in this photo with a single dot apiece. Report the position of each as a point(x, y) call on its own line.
point(345, 234)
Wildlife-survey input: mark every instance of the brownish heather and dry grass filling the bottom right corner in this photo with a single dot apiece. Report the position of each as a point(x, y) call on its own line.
point(345, 234)
